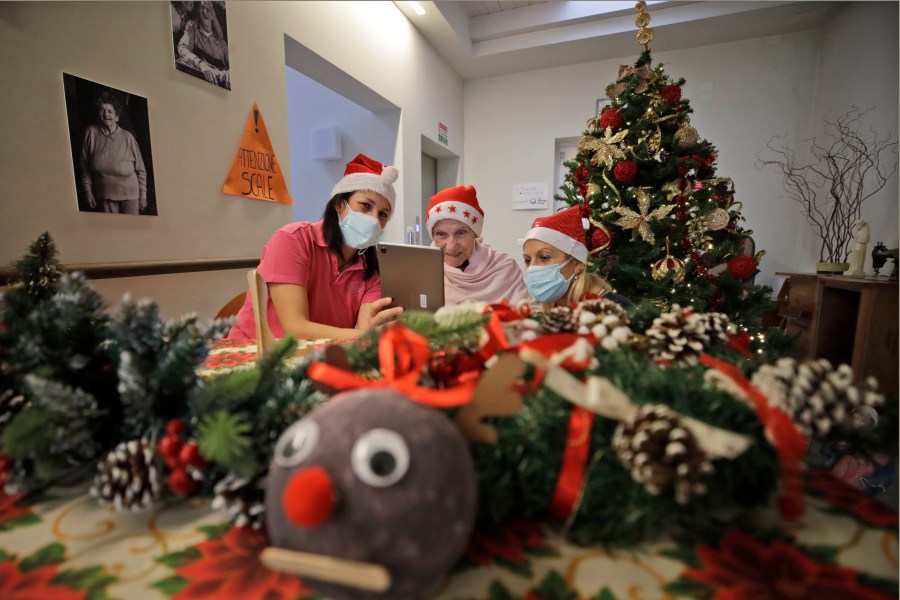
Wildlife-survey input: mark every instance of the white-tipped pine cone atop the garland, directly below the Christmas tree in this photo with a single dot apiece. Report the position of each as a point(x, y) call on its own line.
point(680, 335)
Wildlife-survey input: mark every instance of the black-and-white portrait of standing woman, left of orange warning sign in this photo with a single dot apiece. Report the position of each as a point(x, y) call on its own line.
point(109, 133)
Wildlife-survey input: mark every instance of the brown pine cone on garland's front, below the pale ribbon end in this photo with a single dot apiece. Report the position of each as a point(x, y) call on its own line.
point(660, 451)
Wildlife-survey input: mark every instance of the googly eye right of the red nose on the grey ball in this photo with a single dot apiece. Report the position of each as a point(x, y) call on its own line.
point(380, 457)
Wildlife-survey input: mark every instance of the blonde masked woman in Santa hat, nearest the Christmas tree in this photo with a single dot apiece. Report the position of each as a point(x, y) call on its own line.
point(556, 256)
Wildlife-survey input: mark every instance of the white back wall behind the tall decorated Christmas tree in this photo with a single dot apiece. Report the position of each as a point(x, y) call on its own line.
point(759, 88)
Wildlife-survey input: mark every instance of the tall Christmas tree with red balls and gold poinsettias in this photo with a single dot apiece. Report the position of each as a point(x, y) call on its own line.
point(663, 225)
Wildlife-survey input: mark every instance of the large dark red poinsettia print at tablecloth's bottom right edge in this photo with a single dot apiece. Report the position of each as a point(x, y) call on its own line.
point(743, 568)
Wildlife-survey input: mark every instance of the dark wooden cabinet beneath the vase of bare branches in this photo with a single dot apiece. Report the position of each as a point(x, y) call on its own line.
point(849, 320)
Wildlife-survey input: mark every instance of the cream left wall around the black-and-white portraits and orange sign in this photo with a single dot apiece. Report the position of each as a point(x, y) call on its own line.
point(195, 127)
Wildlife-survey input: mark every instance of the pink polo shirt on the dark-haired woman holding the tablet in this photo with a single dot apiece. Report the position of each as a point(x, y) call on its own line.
point(297, 254)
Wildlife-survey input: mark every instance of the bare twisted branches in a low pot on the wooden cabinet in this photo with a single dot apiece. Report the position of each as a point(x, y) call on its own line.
point(846, 166)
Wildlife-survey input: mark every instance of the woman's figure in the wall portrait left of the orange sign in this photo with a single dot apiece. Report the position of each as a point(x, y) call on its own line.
point(112, 169)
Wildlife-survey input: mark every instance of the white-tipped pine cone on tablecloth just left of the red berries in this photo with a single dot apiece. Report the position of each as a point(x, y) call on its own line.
point(129, 477)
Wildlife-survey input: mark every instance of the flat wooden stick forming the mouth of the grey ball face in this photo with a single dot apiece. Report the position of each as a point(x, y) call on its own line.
point(351, 573)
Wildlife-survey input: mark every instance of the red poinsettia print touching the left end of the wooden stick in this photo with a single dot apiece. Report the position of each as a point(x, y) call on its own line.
point(230, 569)
